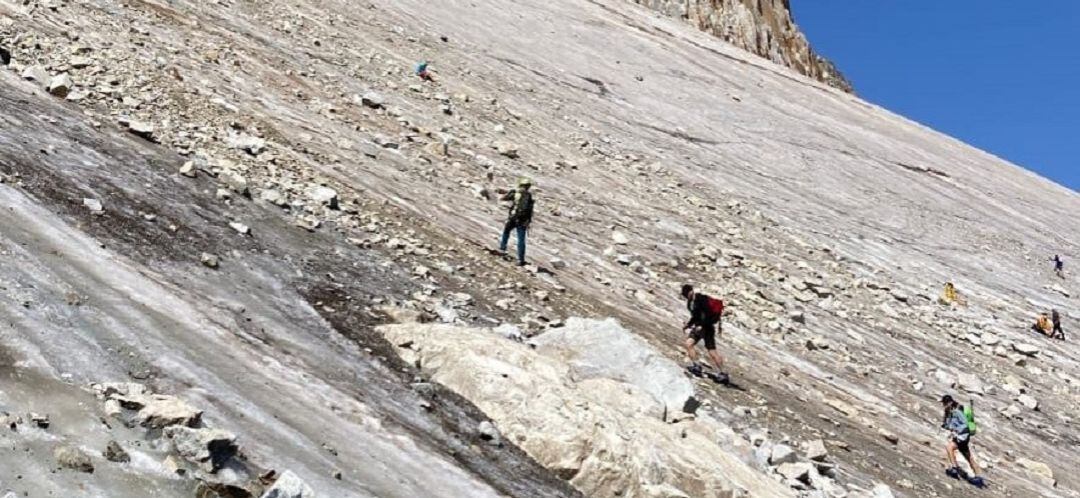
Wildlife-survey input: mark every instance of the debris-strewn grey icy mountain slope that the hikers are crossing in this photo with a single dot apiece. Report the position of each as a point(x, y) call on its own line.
point(821, 219)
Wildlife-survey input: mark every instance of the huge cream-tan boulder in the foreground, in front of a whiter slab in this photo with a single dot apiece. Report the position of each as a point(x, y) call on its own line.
point(602, 435)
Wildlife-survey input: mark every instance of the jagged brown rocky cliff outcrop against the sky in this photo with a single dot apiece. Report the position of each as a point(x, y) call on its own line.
point(764, 28)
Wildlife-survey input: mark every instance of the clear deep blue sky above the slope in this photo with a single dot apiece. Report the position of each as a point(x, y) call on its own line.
point(1001, 75)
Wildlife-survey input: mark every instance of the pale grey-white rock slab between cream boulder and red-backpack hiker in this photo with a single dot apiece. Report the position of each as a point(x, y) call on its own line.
point(605, 349)
